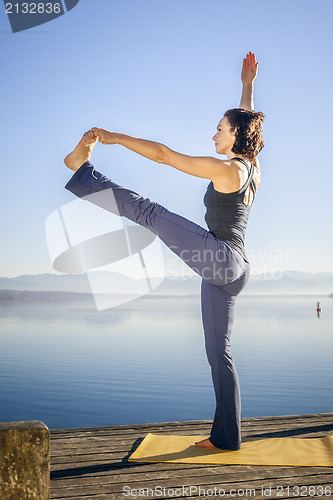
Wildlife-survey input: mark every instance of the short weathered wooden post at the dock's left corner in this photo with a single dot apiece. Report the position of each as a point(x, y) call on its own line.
point(24, 461)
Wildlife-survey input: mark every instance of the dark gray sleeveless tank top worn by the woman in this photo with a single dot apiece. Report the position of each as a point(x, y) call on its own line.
point(226, 215)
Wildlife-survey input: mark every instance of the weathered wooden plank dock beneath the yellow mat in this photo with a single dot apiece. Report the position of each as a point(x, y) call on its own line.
point(91, 463)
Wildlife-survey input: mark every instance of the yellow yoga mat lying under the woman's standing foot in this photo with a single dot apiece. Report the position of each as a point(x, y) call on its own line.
point(272, 451)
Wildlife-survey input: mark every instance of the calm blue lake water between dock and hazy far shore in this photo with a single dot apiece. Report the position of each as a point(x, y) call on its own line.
point(72, 366)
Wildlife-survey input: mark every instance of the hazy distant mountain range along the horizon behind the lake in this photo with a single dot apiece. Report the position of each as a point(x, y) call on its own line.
point(286, 283)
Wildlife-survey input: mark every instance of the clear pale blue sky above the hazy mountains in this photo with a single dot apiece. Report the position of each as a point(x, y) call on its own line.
point(167, 71)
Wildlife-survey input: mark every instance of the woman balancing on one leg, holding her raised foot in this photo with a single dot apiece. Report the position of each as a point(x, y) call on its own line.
point(217, 254)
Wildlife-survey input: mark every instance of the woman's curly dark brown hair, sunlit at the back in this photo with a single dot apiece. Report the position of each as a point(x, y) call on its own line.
point(249, 141)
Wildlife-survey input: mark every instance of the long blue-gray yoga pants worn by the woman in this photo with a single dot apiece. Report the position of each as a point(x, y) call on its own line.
point(224, 274)
